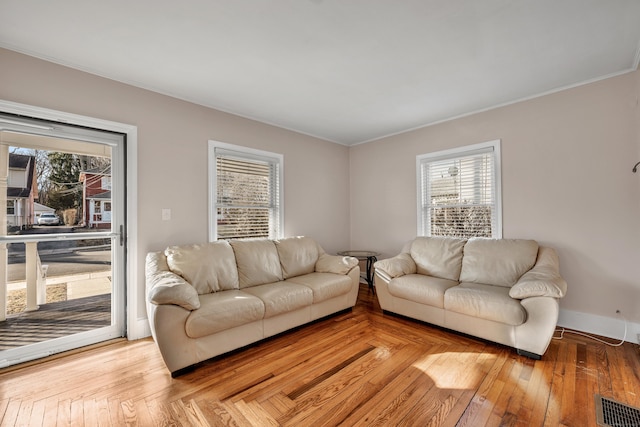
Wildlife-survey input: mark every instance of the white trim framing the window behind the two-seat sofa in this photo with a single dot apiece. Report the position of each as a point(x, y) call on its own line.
point(459, 152)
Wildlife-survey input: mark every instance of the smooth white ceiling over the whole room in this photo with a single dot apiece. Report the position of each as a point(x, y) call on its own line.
point(347, 71)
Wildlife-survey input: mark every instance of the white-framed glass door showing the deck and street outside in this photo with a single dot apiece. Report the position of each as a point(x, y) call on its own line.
point(61, 237)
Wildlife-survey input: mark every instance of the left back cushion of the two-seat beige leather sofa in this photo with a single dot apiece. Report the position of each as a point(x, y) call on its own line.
point(438, 256)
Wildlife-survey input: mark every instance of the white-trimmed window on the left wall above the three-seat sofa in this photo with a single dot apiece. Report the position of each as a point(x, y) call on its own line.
point(245, 192)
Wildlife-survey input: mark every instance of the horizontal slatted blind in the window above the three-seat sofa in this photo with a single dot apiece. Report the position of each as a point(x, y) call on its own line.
point(247, 196)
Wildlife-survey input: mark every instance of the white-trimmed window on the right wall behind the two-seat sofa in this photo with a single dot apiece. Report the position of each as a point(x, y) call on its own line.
point(459, 192)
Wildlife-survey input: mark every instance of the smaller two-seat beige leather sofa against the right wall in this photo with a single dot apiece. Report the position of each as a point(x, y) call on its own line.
point(505, 291)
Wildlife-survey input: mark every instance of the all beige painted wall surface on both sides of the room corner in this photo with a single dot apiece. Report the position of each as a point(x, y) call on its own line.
point(566, 174)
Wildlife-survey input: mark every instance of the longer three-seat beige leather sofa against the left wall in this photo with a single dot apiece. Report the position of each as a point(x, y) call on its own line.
point(208, 299)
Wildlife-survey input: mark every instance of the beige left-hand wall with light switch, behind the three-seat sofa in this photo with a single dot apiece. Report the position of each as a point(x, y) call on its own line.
point(172, 155)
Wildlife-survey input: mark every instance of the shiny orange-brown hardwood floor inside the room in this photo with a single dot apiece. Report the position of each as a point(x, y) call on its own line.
point(361, 368)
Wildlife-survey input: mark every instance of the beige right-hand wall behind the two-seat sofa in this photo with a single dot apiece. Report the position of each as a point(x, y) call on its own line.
point(566, 182)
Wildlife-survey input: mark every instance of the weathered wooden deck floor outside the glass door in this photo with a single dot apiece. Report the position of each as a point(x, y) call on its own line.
point(55, 320)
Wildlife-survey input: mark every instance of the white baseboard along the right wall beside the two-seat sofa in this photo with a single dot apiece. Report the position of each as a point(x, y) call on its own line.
point(611, 327)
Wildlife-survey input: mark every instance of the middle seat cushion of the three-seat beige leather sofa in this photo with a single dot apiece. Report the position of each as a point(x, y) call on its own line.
point(282, 297)
